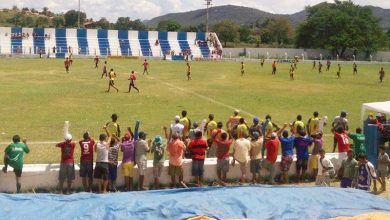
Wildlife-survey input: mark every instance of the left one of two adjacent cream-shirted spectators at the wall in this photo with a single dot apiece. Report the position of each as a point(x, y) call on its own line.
point(241, 148)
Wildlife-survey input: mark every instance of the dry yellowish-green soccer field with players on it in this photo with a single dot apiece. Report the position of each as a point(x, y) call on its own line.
point(37, 96)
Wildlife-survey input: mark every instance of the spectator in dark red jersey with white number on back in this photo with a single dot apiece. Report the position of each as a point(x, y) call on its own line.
point(86, 161)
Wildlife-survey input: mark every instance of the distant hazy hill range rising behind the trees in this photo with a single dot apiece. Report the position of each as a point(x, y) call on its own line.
point(245, 15)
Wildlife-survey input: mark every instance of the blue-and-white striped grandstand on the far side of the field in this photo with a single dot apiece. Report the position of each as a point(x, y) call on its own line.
point(91, 42)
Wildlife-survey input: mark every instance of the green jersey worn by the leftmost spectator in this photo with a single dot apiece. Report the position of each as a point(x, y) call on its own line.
point(15, 153)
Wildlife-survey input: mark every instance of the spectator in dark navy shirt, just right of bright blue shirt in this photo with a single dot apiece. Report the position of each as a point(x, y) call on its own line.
point(301, 144)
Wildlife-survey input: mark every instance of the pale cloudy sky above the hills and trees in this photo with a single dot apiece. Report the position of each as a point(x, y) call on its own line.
point(148, 9)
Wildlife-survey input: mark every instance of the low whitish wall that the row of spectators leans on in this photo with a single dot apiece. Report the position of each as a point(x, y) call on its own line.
point(46, 175)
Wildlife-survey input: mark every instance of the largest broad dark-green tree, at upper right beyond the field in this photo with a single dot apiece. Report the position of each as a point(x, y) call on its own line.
point(340, 26)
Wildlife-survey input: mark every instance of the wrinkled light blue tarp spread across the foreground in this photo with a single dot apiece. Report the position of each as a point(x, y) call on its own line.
point(256, 202)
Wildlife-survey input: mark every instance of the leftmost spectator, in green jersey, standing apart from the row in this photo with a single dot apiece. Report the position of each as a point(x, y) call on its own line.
point(13, 156)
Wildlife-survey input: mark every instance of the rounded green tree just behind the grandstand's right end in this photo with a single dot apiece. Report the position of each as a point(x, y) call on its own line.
point(227, 31)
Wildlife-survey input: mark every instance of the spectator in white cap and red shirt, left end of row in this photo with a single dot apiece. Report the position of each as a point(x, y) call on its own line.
point(67, 171)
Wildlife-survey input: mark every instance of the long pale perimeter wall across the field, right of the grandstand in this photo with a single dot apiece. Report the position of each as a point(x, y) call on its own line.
point(291, 52)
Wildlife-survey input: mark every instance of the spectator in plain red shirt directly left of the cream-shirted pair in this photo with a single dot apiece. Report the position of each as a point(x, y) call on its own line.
point(223, 147)
